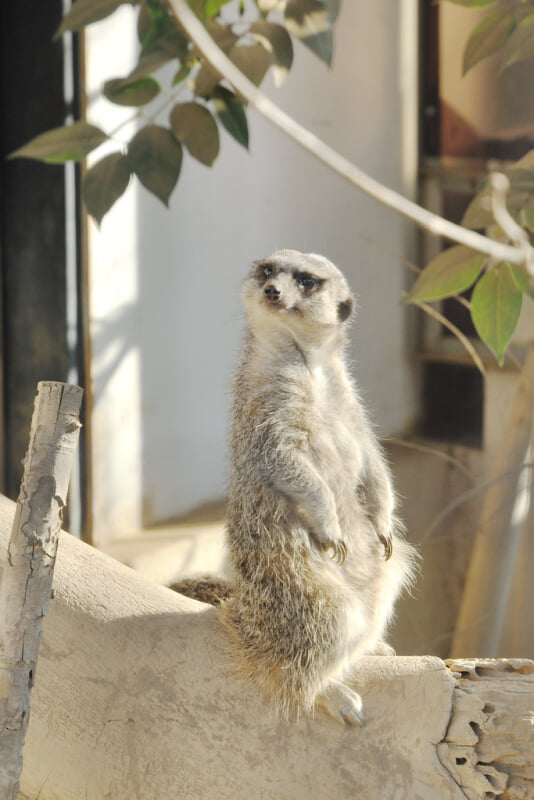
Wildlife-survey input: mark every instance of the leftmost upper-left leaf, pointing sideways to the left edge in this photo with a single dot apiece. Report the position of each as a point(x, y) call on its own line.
point(68, 143)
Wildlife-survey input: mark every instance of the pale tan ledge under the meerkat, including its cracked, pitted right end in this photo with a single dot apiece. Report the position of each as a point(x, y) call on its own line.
point(134, 699)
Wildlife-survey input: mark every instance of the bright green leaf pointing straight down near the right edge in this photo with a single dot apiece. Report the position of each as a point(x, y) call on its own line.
point(495, 308)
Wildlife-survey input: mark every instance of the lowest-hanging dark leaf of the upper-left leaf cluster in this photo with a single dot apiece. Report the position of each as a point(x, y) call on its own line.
point(104, 183)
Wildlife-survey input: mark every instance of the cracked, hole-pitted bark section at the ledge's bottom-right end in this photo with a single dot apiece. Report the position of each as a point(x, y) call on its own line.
point(489, 745)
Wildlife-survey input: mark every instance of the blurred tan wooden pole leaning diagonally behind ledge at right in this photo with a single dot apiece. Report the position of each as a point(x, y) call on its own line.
point(489, 577)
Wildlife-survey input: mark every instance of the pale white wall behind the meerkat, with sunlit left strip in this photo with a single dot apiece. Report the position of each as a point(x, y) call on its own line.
point(169, 410)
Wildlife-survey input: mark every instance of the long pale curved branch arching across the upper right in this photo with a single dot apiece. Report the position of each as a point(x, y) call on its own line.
point(384, 195)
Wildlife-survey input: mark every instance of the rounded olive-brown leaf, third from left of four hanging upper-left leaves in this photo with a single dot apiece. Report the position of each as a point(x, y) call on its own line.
point(194, 126)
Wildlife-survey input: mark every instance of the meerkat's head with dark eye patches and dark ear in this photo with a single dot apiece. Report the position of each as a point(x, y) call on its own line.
point(303, 292)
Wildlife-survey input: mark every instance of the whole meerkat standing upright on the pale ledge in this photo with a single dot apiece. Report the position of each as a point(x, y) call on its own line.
point(316, 553)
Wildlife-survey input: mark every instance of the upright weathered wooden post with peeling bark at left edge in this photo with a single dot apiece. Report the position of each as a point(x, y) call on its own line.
point(27, 577)
